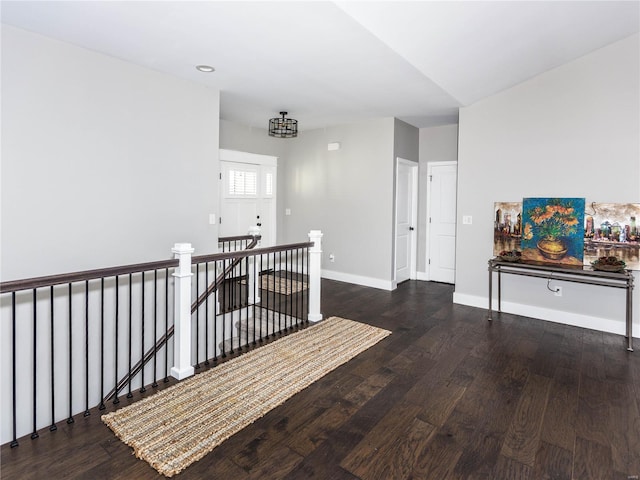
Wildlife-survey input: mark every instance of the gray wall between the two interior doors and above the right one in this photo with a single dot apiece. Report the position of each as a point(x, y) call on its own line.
point(437, 144)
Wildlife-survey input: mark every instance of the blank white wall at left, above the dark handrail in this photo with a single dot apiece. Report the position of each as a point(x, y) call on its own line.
point(104, 163)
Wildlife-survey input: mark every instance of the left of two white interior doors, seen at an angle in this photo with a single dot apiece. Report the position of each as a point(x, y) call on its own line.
point(406, 219)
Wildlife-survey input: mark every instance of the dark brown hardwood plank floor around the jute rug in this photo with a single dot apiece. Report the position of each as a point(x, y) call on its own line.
point(447, 396)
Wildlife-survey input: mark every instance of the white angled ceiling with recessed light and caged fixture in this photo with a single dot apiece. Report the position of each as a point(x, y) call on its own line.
point(328, 63)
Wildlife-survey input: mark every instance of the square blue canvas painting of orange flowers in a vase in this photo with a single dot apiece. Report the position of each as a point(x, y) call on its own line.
point(552, 230)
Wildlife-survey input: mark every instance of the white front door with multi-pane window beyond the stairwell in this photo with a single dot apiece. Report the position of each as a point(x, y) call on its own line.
point(248, 196)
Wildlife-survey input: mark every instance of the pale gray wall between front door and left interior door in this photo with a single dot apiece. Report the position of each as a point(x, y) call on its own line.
point(348, 194)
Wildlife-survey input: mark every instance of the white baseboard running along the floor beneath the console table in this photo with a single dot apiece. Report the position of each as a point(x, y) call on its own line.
point(557, 316)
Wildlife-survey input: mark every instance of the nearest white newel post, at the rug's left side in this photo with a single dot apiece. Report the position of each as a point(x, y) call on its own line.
point(182, 367)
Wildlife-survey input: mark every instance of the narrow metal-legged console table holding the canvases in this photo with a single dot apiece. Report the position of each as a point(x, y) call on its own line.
point(579, 274)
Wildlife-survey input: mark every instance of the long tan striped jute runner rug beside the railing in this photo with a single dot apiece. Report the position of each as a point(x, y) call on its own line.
point(180, 425)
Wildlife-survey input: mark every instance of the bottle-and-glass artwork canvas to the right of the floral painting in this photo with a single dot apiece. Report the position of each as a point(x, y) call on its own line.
point(612, 229)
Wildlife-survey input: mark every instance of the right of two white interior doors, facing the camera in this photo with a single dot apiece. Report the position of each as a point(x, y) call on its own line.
point(441, 247)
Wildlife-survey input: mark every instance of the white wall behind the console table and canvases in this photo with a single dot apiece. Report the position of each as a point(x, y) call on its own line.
point(571, 132)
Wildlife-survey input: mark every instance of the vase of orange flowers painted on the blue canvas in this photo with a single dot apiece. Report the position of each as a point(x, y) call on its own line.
point(551, 224)
